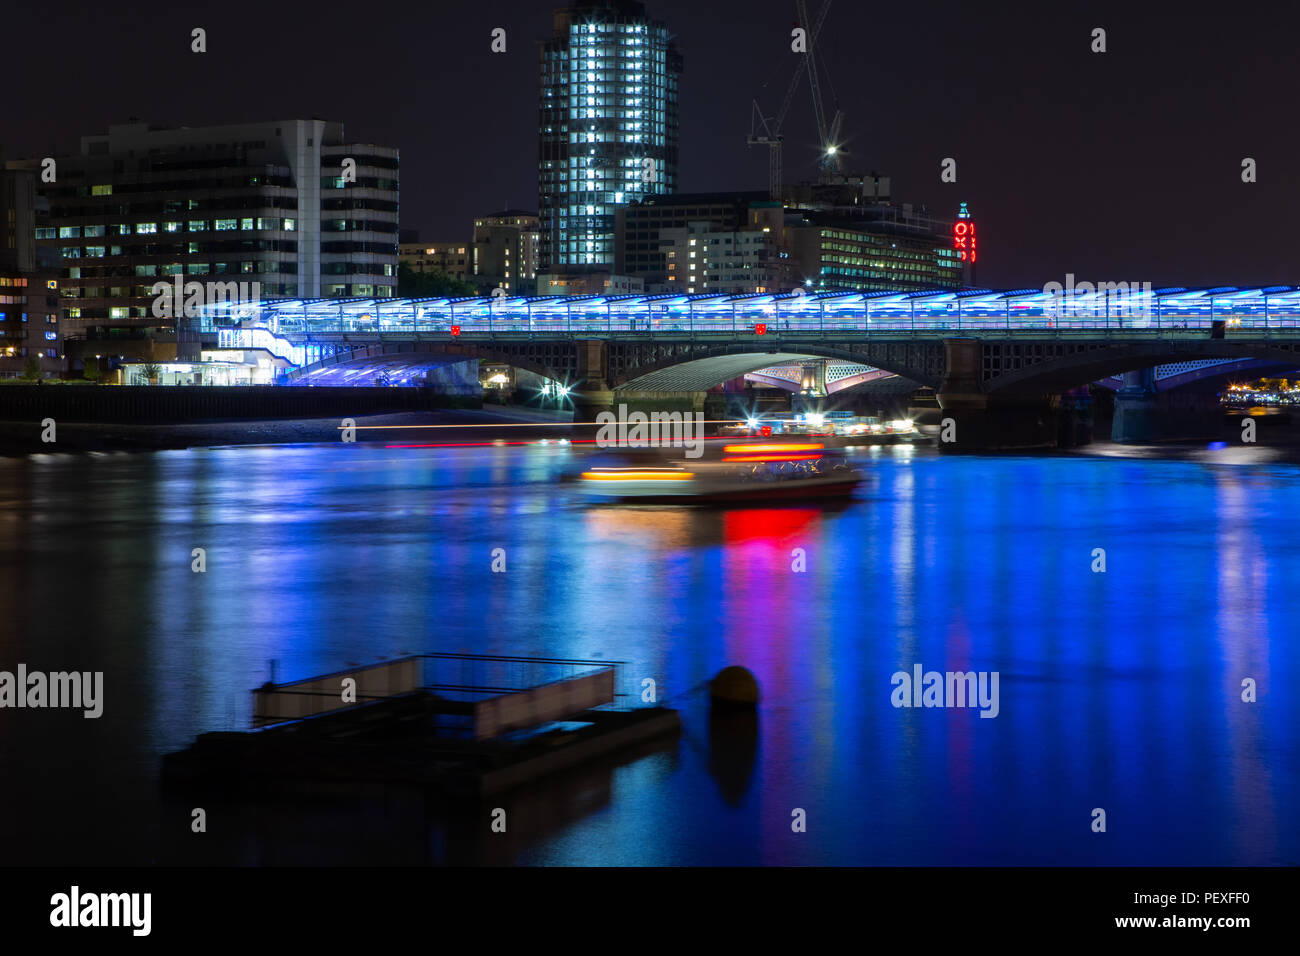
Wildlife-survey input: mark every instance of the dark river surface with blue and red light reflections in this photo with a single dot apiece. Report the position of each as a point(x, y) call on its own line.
point(1119, 691)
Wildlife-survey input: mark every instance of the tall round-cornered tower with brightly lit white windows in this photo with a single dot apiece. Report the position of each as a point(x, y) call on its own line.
point(609, 127)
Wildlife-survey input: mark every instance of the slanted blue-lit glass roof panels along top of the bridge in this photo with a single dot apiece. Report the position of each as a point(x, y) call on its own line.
point(705, 302)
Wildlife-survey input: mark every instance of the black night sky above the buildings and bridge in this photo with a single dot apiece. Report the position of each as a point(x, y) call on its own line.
point(1116, 167)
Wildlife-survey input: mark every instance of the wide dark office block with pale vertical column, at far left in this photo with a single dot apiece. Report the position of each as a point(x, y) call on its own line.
point(289, 206)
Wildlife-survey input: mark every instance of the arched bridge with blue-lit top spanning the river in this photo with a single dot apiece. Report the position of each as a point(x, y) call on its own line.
point(970, 345)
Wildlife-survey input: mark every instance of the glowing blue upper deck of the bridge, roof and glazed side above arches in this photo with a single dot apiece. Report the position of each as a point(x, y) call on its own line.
point(1266, 308)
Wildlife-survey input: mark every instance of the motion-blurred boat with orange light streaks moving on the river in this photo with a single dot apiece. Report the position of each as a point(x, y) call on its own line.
point(749, 471)
